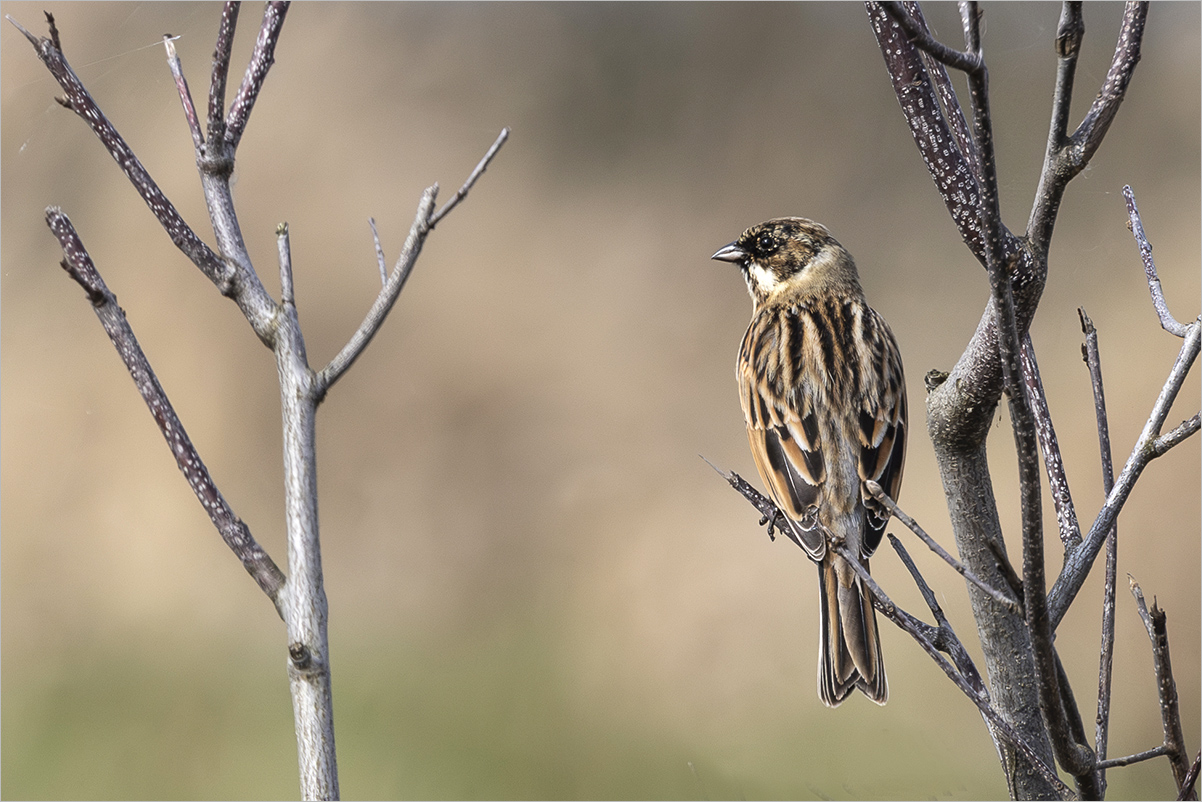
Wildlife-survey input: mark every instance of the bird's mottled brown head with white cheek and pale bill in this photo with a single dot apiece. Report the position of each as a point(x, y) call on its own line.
point(792, 258)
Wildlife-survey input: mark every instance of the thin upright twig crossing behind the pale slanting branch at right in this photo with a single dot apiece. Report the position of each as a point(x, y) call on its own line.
point(1106, 668)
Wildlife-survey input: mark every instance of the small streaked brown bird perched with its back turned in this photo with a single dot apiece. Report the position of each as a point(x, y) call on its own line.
point(824, 396)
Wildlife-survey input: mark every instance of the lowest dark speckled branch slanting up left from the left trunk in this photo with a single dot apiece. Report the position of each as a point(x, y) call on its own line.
point(234, 531)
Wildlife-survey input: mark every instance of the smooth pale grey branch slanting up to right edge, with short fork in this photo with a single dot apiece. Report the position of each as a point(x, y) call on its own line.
point(1149, 447)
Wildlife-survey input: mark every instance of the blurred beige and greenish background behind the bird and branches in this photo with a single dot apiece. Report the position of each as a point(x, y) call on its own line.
point(538, 589)
